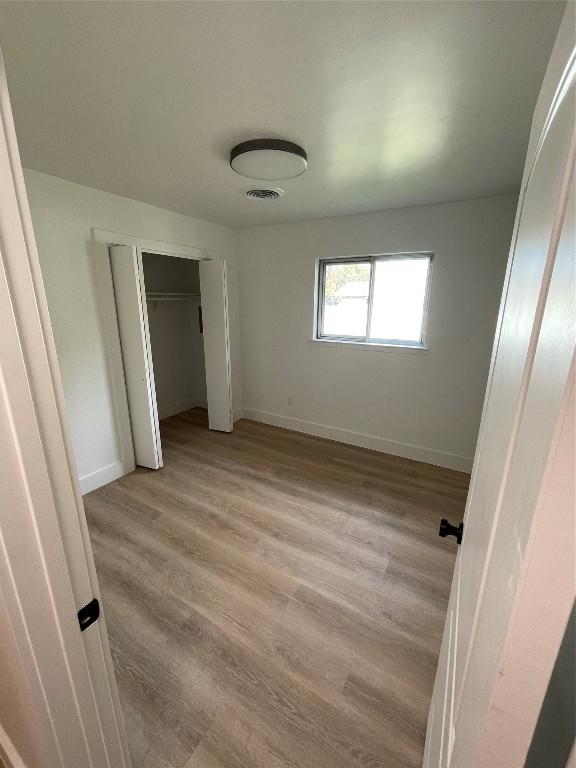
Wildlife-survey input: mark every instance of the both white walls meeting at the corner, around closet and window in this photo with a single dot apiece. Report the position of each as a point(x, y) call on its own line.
point(424, 405)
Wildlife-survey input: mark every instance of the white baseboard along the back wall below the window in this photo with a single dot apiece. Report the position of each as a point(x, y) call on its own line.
point(374, 443)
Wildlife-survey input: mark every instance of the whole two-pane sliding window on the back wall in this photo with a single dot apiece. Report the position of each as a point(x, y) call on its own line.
point(374, 299)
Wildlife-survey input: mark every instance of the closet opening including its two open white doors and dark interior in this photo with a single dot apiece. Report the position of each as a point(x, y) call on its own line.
point(173, 324)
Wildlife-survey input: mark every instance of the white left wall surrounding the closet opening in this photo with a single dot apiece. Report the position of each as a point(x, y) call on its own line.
point(80, 300)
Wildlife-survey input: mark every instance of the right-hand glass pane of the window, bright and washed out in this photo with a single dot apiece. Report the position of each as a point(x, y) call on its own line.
point(398, 299)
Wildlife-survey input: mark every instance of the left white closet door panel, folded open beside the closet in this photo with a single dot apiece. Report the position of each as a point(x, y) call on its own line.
point(129, 289)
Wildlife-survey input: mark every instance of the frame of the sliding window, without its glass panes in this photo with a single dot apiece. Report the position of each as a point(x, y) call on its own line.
point(365, 340)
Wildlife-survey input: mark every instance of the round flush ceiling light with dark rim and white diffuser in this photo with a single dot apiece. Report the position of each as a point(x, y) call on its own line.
point(268, 159)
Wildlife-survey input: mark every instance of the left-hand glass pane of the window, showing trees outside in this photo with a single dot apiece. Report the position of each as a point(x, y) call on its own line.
point(346, 289)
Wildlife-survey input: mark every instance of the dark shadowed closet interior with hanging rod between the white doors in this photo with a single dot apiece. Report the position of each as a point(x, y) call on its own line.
point(175, 333)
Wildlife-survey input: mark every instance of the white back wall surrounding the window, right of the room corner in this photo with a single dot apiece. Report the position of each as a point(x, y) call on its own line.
point(419, 404)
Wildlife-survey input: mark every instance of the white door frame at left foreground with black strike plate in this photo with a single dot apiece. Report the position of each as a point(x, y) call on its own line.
point(58, 701)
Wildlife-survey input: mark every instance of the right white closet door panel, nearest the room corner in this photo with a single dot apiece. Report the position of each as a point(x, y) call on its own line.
point(214, 292)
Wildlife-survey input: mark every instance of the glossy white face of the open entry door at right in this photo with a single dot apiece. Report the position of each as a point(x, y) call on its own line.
point(525, 400)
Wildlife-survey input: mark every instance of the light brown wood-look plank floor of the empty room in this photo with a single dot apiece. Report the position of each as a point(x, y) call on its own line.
point(274, 600)
